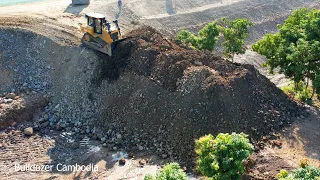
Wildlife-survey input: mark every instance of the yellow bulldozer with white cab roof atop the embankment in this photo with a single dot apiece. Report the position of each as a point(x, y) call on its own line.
point(100, 34)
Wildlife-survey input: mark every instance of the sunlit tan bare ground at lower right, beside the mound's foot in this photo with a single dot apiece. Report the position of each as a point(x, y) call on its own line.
point(284, 150)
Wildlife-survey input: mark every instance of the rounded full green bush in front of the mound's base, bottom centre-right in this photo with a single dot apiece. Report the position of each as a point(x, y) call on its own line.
point(222, 157)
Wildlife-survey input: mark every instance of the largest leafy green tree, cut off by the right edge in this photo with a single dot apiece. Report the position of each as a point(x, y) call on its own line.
point(295, 49)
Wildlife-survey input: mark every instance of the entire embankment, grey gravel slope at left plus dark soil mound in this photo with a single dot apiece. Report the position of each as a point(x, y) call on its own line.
point(153, 95)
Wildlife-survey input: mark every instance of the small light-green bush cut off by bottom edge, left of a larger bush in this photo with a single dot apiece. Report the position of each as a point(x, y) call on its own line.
point(170, 171)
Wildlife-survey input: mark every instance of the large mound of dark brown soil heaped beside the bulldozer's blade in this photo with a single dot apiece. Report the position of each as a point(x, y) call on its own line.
point(161, 96)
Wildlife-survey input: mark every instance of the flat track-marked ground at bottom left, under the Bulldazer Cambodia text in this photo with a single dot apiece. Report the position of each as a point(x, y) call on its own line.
point(51, 147)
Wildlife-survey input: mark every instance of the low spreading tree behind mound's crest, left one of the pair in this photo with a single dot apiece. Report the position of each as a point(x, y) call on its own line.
point(206, 39)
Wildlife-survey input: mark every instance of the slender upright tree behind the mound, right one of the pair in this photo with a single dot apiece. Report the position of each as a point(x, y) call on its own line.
point(234, 33)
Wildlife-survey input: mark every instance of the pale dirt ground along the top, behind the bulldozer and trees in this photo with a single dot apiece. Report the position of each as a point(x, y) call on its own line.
point(186, 14)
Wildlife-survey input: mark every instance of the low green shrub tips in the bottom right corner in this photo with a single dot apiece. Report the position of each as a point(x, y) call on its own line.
point(306, 173)
